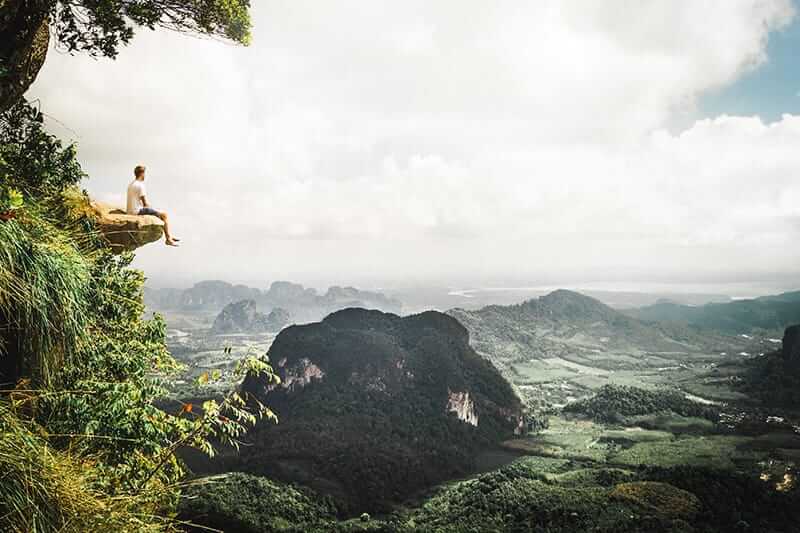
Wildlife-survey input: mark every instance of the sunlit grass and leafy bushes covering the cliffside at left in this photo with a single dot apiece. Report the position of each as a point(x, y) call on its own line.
point(82, 441)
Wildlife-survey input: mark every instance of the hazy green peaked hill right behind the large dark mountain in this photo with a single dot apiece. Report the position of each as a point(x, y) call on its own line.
point(574, 329)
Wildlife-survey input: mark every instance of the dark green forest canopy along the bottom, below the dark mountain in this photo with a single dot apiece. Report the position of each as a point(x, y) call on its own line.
point(531, 494)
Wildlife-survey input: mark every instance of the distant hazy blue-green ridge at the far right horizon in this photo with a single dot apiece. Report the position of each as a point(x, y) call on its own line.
point(741, 316)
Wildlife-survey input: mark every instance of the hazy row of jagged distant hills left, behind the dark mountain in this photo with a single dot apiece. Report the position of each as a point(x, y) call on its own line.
point(303, 304)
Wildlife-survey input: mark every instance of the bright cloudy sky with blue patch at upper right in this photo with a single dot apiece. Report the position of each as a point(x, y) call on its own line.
point(468, 142)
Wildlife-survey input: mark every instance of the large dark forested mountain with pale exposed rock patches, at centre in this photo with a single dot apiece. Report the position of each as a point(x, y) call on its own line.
point(373, 407)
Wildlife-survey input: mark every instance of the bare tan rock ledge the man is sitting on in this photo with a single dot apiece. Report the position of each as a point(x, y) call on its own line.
point(125, 232)
